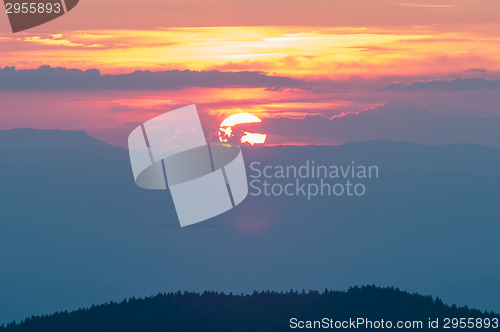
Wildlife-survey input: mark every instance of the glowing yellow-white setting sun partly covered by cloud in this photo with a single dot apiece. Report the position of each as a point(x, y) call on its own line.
point(227, 133)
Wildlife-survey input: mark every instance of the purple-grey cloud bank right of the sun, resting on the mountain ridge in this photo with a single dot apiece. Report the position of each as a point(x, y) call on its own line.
point(395, 121)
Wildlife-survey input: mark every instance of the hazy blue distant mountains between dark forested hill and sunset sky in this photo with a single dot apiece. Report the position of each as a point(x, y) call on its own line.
point(75, 230)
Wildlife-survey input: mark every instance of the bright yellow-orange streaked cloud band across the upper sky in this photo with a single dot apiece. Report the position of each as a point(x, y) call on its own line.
point(305, 52)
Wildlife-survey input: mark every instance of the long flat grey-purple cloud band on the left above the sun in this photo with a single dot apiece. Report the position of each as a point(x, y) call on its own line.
point(47, 78)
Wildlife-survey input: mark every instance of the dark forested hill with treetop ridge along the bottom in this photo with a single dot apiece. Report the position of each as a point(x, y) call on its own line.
point(265, 311)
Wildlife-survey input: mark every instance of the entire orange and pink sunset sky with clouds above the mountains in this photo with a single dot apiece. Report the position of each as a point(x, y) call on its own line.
point(283, 61)
